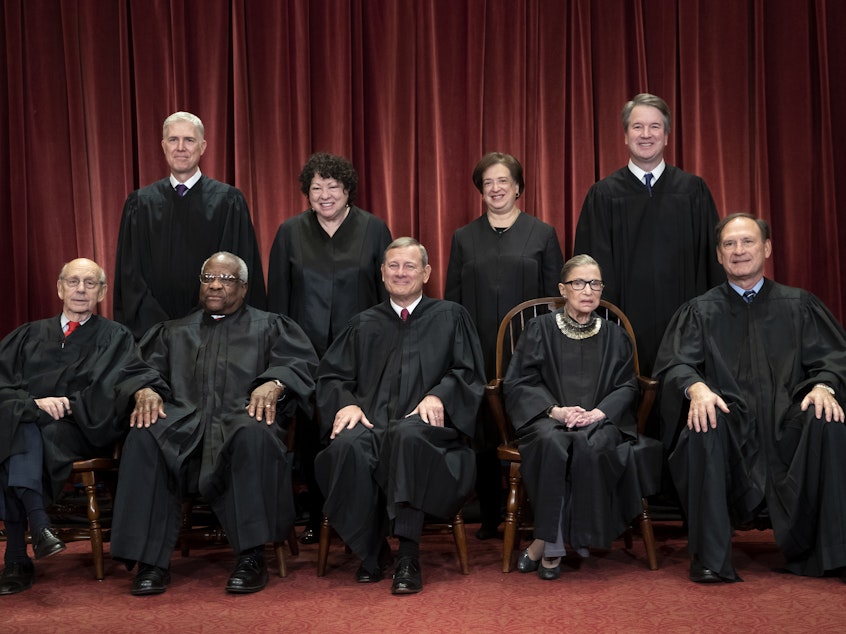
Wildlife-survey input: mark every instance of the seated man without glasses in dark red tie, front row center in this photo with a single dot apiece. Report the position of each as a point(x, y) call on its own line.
point(398, 392)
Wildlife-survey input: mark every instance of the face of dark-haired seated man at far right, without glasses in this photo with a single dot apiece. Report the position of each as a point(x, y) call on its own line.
point(742, 251)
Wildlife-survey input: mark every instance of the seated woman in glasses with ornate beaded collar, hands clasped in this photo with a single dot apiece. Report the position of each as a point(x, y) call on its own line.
point(570, 391)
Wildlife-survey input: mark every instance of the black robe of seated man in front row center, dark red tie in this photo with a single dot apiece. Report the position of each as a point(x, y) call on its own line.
point(386, 367)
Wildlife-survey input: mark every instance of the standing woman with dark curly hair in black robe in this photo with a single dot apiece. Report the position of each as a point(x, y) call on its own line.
point(324, 269)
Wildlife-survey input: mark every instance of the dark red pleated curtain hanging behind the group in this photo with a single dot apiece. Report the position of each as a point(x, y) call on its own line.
point(414, 92)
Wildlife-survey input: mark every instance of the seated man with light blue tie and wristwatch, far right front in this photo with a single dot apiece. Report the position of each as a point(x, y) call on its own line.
point(752, 371)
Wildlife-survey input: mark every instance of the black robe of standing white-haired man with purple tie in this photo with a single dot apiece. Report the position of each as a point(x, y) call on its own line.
point(163, 242)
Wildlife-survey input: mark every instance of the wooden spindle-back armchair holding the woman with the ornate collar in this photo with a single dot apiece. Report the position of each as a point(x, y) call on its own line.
point(510, 328)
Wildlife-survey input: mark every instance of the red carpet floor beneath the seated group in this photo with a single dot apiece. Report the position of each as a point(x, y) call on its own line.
point(612, 591)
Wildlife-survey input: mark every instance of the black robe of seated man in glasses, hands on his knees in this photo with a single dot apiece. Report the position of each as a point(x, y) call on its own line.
point(206, 370)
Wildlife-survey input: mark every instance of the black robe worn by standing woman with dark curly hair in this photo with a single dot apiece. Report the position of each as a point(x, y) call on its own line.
point(322, 281)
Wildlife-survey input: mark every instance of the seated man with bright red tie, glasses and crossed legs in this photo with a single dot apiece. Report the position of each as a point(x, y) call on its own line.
point(57, 405)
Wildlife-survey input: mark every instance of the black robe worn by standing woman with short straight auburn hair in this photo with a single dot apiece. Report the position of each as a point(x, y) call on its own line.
point(489, 273)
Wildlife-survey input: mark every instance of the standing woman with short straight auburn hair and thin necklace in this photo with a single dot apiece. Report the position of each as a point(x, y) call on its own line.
point(502, 258)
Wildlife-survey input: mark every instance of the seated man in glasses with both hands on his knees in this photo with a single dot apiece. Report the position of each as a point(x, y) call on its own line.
point(229, 373)
